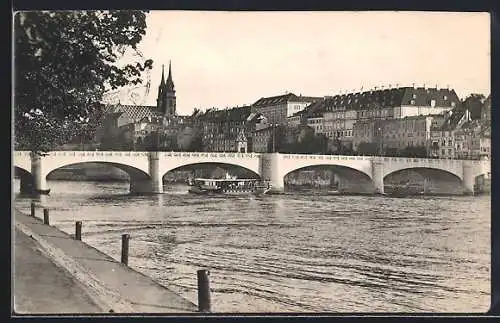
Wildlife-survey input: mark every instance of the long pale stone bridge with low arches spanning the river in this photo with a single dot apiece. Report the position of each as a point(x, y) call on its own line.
point(146, 169)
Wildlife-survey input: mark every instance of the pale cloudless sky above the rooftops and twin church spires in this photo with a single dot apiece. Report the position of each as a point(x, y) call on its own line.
point(226, 59)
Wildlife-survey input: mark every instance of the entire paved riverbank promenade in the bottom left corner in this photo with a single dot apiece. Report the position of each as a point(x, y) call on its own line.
point(55, 274)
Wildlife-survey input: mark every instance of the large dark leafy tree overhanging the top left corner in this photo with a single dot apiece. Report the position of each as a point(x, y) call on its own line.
point(64, 62)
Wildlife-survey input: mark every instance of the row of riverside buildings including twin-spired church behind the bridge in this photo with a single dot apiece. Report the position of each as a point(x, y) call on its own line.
point(390, 119)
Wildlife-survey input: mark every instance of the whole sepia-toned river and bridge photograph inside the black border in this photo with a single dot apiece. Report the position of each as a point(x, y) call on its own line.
point(171, 162)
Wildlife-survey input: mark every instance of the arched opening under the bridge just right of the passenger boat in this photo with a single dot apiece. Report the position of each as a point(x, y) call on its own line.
point(329, 179)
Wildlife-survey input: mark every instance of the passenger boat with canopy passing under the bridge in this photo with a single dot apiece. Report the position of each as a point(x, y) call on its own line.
point(229, 186)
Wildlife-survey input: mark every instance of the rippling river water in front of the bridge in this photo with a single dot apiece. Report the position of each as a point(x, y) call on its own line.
point(292, 253)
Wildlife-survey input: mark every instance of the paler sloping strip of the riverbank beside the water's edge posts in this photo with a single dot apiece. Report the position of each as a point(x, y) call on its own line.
point(108, 283)
